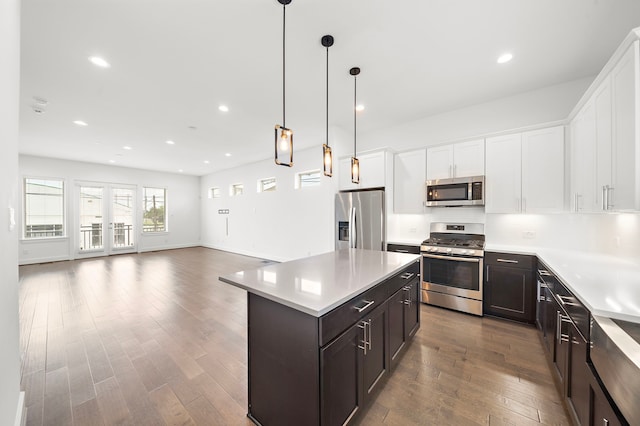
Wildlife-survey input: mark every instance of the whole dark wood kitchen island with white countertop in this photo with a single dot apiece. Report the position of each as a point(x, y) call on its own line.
point(325, 331)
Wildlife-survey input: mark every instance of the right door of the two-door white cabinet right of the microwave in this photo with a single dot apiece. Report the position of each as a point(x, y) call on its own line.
point(543, 170)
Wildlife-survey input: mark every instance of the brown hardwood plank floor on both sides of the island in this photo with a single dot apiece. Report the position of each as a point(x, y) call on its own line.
point(155, 338)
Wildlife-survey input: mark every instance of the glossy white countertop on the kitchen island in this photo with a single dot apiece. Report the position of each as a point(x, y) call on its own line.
point(315, 285)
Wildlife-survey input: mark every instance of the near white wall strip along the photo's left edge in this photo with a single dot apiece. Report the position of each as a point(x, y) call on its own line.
point(11, 400)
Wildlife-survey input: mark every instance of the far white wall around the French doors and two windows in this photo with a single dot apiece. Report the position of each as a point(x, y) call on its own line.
point(183, 206)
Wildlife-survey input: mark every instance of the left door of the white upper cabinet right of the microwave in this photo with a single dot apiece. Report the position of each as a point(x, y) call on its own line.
point(503, 174)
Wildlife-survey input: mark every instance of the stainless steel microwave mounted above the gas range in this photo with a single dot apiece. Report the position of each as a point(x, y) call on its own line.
point(455, 192)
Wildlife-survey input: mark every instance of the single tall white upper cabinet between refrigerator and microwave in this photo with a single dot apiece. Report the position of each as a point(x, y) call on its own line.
point(409, 172)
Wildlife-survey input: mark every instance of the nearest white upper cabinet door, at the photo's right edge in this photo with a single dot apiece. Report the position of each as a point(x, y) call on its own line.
point(625, 87)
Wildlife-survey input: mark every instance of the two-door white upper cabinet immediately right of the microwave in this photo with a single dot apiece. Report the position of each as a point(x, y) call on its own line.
point(525, 172)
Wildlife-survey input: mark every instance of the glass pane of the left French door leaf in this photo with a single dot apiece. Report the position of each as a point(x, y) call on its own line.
point(91, 218)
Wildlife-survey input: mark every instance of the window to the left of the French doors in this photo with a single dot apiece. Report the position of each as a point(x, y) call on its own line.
point(43, 208)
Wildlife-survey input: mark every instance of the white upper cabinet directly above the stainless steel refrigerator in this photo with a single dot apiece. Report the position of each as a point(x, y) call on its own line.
point(372, 171)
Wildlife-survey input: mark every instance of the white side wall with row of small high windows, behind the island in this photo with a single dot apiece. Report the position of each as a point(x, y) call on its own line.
point(282, 225)
